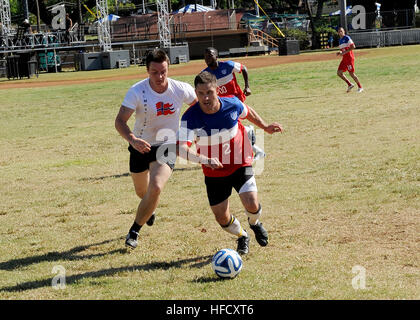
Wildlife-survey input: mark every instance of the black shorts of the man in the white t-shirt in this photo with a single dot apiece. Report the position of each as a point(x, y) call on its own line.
point(164, 154)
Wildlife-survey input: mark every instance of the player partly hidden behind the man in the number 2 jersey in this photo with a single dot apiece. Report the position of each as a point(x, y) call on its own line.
point(228, 86)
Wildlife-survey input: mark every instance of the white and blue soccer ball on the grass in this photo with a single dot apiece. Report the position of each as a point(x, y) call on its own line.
point(227, 263)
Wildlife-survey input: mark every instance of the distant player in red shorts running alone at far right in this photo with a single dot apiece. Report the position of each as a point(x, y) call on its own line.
point(347, 63)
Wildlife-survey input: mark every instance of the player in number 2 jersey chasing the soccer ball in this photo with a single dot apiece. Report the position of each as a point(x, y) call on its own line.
point(225, 152)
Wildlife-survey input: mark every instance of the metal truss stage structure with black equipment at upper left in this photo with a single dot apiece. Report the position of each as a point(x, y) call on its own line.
point(25, 53)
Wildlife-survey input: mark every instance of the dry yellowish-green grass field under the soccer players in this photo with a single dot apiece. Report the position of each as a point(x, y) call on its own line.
point(340, 189)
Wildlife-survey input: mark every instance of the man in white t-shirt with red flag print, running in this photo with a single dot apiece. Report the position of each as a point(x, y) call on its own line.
point(156, 102)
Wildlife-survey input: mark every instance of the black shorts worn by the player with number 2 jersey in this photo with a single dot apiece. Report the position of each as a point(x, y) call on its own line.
point(220, 188)
